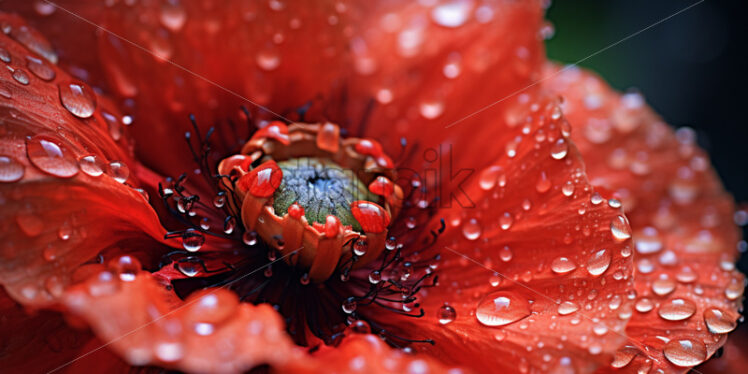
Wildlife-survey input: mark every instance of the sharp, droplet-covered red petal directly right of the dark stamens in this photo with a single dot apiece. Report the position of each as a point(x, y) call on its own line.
point(532, 276)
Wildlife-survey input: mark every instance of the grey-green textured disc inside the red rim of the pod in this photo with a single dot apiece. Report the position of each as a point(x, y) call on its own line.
point(322, 188)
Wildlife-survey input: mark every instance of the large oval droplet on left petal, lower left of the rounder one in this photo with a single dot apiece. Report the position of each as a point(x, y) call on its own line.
point(50, 156)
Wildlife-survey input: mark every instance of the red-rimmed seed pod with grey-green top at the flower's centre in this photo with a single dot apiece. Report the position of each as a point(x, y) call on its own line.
point(323, 202)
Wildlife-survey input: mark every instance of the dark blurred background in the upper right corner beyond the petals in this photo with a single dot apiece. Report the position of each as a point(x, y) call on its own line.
point(691, 67)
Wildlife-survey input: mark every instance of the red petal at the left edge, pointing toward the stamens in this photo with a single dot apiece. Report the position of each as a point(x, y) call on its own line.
point(66, 187)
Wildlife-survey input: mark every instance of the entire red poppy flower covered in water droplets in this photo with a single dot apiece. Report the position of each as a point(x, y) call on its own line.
point(301, 187)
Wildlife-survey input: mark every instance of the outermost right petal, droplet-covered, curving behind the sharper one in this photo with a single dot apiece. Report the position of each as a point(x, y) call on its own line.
point(688, 291)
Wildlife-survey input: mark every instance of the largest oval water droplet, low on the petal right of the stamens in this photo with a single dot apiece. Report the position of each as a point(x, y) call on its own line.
point(502, 308)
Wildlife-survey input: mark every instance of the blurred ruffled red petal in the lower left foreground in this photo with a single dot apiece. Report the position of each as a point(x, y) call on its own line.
point(209, 332)
